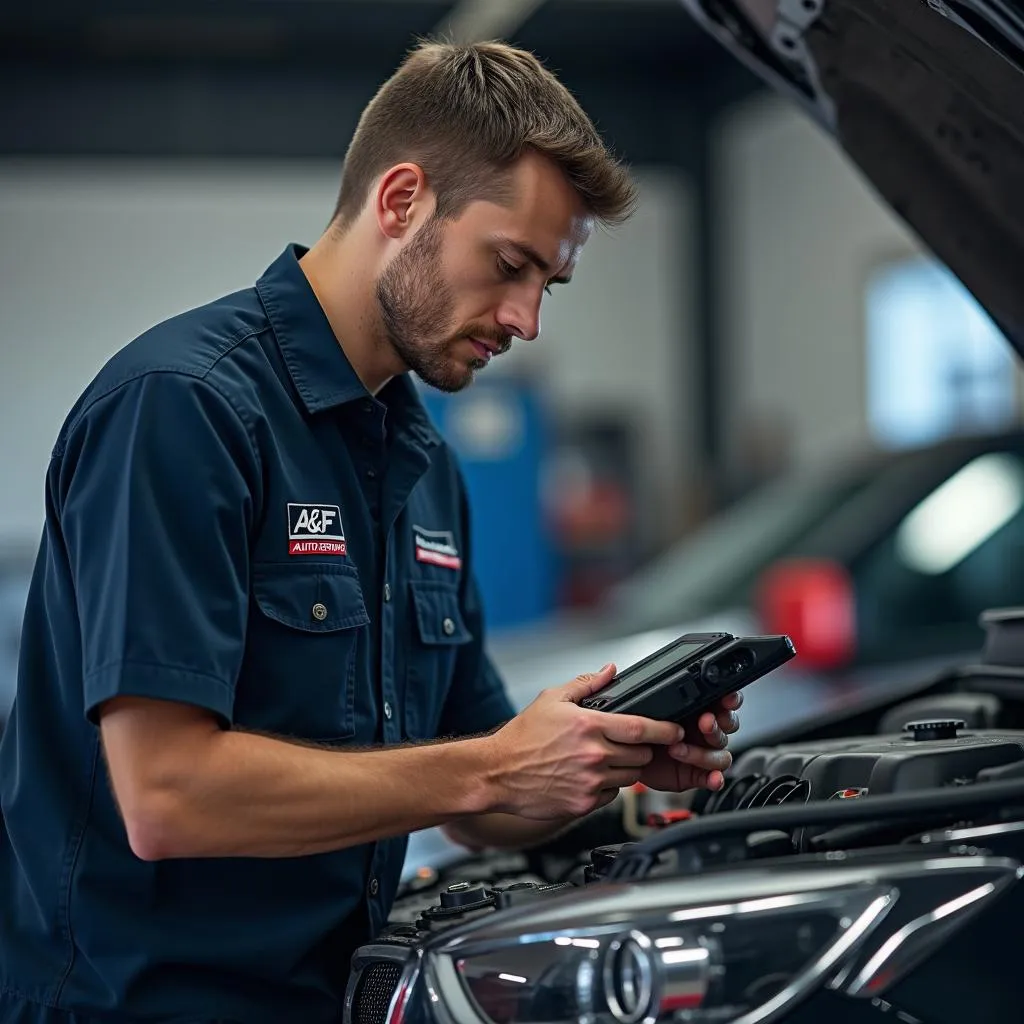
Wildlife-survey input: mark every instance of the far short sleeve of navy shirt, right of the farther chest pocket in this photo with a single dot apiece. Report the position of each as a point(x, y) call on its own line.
point(478, 701)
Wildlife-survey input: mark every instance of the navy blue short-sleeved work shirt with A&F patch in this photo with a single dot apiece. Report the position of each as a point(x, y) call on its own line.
point(232, 522)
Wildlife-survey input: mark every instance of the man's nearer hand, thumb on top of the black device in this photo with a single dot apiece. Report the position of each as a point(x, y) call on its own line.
point(557, 760)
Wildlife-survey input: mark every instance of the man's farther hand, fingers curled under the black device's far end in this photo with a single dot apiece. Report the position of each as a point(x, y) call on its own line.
point(698, 762)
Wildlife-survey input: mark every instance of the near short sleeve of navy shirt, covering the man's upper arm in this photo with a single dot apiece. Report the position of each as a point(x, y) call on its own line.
point(155, 498)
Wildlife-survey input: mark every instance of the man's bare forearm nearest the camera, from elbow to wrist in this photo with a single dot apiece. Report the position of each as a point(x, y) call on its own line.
point(255, 796)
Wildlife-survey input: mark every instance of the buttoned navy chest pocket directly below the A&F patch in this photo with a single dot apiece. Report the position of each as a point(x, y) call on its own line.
point(308, 636)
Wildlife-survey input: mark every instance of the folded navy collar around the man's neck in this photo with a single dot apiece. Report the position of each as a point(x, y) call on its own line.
point(323, 376)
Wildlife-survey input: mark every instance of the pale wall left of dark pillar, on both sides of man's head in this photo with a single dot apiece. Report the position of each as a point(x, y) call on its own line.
point(94, 253)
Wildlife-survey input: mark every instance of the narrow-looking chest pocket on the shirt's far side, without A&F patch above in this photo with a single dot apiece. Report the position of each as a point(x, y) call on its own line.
point(439, 634)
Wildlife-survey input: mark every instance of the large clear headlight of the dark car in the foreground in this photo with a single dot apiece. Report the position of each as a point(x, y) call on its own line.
point(717, 963)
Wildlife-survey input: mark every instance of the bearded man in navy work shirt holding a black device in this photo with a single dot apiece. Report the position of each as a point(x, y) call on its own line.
point(253, 614)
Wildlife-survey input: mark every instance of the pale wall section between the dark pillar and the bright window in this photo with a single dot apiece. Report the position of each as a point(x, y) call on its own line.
point(801, 232)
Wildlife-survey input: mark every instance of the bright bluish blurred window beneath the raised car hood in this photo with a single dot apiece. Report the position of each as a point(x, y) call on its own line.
point(937, 366)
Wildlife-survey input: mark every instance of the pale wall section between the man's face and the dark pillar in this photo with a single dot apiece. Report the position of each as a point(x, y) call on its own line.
point(621, 338)
